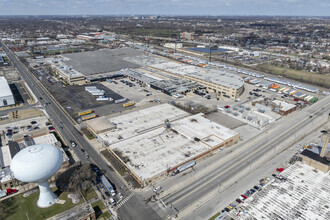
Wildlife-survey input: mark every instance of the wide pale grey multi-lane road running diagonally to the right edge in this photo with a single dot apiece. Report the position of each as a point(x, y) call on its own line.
point(254, 155)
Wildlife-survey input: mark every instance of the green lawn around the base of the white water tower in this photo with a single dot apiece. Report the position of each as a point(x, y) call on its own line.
point(20, 207)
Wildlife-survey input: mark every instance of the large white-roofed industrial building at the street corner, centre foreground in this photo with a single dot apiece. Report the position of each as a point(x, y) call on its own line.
point(151, 148)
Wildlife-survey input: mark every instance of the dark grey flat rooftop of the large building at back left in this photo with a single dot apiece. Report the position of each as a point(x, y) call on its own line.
point(101, 61)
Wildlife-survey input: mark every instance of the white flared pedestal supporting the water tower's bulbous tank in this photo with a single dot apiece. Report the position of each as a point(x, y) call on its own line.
point(47, 197)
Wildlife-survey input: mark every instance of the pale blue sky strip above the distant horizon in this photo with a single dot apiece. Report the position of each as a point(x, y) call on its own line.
point(165, 7)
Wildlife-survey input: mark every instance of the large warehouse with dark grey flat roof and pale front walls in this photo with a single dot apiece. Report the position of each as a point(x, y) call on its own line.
point(85, 67)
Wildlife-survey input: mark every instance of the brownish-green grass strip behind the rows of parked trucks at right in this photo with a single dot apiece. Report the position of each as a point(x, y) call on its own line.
point(302, 76)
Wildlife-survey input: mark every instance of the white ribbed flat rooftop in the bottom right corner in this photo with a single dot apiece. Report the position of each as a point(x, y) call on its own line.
point(303, 193)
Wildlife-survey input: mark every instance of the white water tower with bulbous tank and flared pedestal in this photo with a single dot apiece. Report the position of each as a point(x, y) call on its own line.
point(37, 163)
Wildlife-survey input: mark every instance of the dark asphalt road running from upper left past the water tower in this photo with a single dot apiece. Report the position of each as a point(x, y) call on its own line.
point(134, 208)
